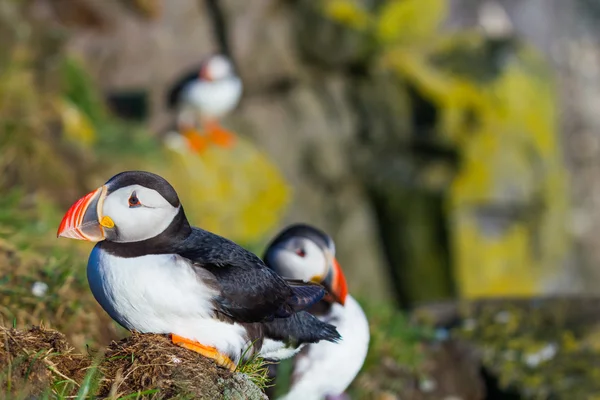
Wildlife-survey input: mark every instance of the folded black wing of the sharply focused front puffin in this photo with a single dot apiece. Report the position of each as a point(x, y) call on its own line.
point(249, 290)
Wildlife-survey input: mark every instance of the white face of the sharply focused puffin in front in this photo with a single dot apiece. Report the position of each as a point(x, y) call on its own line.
point(139, 213)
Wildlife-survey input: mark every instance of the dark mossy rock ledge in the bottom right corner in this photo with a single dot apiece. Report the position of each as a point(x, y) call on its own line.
point(542, 348)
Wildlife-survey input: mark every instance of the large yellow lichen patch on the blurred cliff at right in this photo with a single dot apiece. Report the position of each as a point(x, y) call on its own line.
point(495, 102)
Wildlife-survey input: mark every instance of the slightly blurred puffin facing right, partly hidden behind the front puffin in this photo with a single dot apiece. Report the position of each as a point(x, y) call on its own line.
point(321, 370)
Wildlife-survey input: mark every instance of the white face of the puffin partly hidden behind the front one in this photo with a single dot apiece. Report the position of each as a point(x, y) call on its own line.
point(298, 258)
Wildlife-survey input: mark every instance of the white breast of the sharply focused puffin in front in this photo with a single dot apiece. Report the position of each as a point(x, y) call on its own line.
point(153, 293)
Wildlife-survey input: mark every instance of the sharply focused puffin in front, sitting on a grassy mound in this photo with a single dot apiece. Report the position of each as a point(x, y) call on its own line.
point(152, 272)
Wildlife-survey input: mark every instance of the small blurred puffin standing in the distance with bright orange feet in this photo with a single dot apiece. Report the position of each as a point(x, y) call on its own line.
point(204, 96)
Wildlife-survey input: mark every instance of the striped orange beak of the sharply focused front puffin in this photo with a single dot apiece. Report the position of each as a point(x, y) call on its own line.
point(83, 221)
